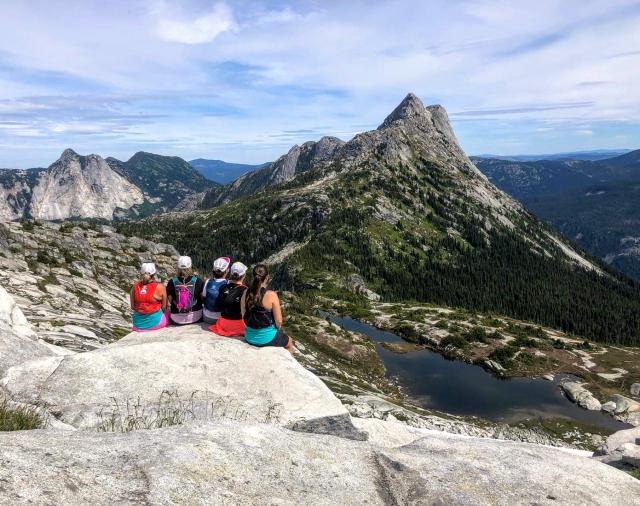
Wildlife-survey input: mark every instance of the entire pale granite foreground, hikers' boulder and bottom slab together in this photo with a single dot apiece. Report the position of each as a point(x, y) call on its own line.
point(232, 424)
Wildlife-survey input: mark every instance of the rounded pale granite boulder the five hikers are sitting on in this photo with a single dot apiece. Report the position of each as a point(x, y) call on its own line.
point(178, 374)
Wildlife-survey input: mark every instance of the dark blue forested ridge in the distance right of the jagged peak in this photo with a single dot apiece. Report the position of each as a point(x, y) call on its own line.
point(593, 202)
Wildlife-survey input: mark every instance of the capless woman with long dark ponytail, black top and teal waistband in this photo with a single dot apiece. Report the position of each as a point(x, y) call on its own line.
point(262, 314)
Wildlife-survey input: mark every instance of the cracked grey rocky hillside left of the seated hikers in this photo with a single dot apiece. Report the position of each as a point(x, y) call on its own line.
point(71, 280)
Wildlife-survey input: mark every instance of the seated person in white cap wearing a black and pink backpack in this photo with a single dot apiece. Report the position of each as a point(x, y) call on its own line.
point(184, 293)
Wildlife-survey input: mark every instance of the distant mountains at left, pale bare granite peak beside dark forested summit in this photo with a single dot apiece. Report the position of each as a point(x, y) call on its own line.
point(89, 186)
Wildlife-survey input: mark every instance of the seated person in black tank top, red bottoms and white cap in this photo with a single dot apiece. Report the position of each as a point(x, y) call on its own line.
point(230, 322)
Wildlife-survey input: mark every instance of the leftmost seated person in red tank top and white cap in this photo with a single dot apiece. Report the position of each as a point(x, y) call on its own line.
point(148, 301)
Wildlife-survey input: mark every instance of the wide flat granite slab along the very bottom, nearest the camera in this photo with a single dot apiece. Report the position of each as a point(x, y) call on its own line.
point(228, 463)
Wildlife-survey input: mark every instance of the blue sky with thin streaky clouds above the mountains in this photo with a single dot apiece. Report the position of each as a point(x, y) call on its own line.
point(243, 81)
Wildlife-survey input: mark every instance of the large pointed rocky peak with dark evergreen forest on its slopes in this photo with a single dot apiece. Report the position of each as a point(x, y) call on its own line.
point(404, 209)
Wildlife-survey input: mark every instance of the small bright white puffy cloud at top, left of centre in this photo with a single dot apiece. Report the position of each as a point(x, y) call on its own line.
point(199, 30)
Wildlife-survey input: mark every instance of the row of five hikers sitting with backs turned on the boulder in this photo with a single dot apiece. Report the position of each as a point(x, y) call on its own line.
point(233, 308)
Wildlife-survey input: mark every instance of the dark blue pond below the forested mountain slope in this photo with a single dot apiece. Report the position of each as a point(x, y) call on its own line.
point(453, 386)
